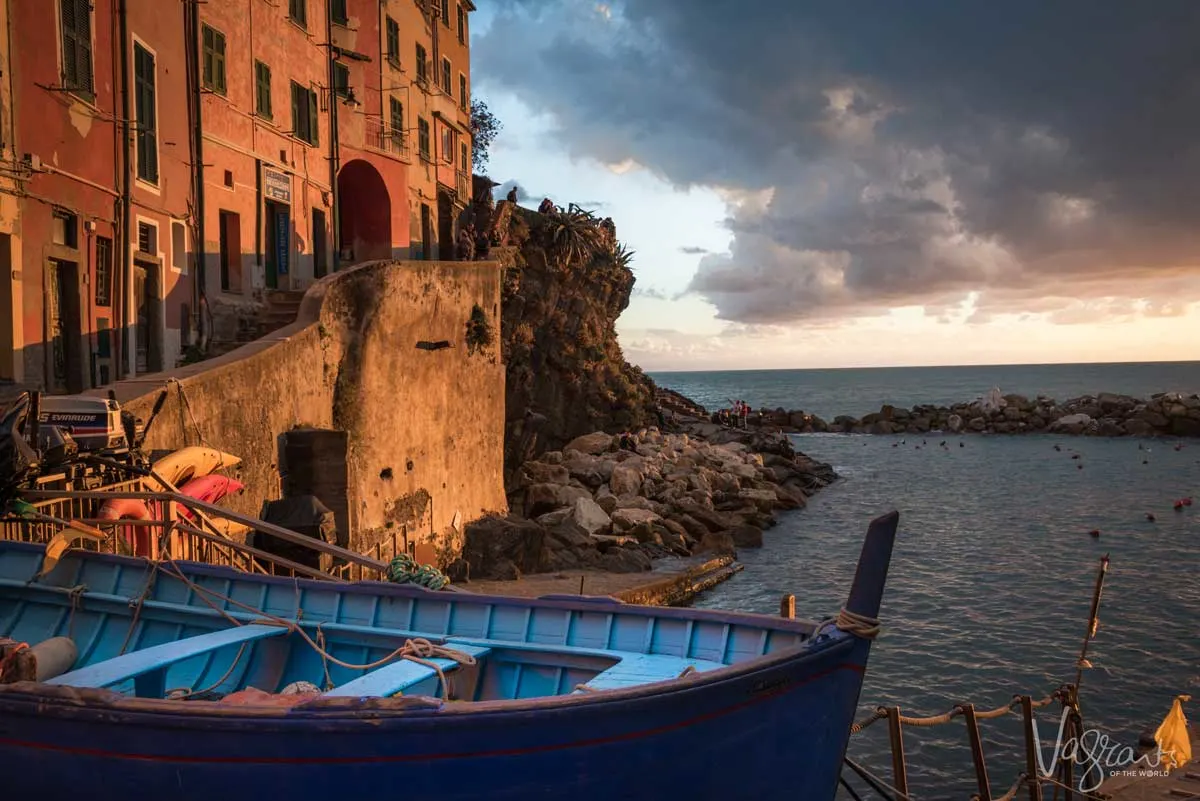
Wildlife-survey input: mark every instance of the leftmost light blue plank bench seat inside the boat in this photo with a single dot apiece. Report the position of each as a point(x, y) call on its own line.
point(148, 667)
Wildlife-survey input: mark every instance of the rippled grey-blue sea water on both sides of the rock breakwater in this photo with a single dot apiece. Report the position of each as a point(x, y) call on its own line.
point(993, 574)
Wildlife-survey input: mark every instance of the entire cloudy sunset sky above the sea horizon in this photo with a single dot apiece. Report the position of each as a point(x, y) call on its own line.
point(863, 183)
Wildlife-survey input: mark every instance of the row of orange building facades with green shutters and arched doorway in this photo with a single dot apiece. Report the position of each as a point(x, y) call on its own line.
point(165, 161)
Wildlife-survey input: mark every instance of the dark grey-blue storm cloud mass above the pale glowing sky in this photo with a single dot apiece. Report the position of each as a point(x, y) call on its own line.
point(893, 154)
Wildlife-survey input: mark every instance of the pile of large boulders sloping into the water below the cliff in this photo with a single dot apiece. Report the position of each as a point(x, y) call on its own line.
point(607, 505)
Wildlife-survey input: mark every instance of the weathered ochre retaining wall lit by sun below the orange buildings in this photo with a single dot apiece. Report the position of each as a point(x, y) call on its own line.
point(395, 354)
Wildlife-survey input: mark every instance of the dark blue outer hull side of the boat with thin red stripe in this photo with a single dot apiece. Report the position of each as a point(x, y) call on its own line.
point(778, 732)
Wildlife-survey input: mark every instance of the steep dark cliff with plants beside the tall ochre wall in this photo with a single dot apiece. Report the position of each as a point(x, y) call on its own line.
point(567, 282)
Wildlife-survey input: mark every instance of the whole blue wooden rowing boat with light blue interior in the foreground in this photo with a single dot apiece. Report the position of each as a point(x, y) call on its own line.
point(562, 697)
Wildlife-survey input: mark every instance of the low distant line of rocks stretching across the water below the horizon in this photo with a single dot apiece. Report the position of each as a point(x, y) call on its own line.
point(1168, 414)
